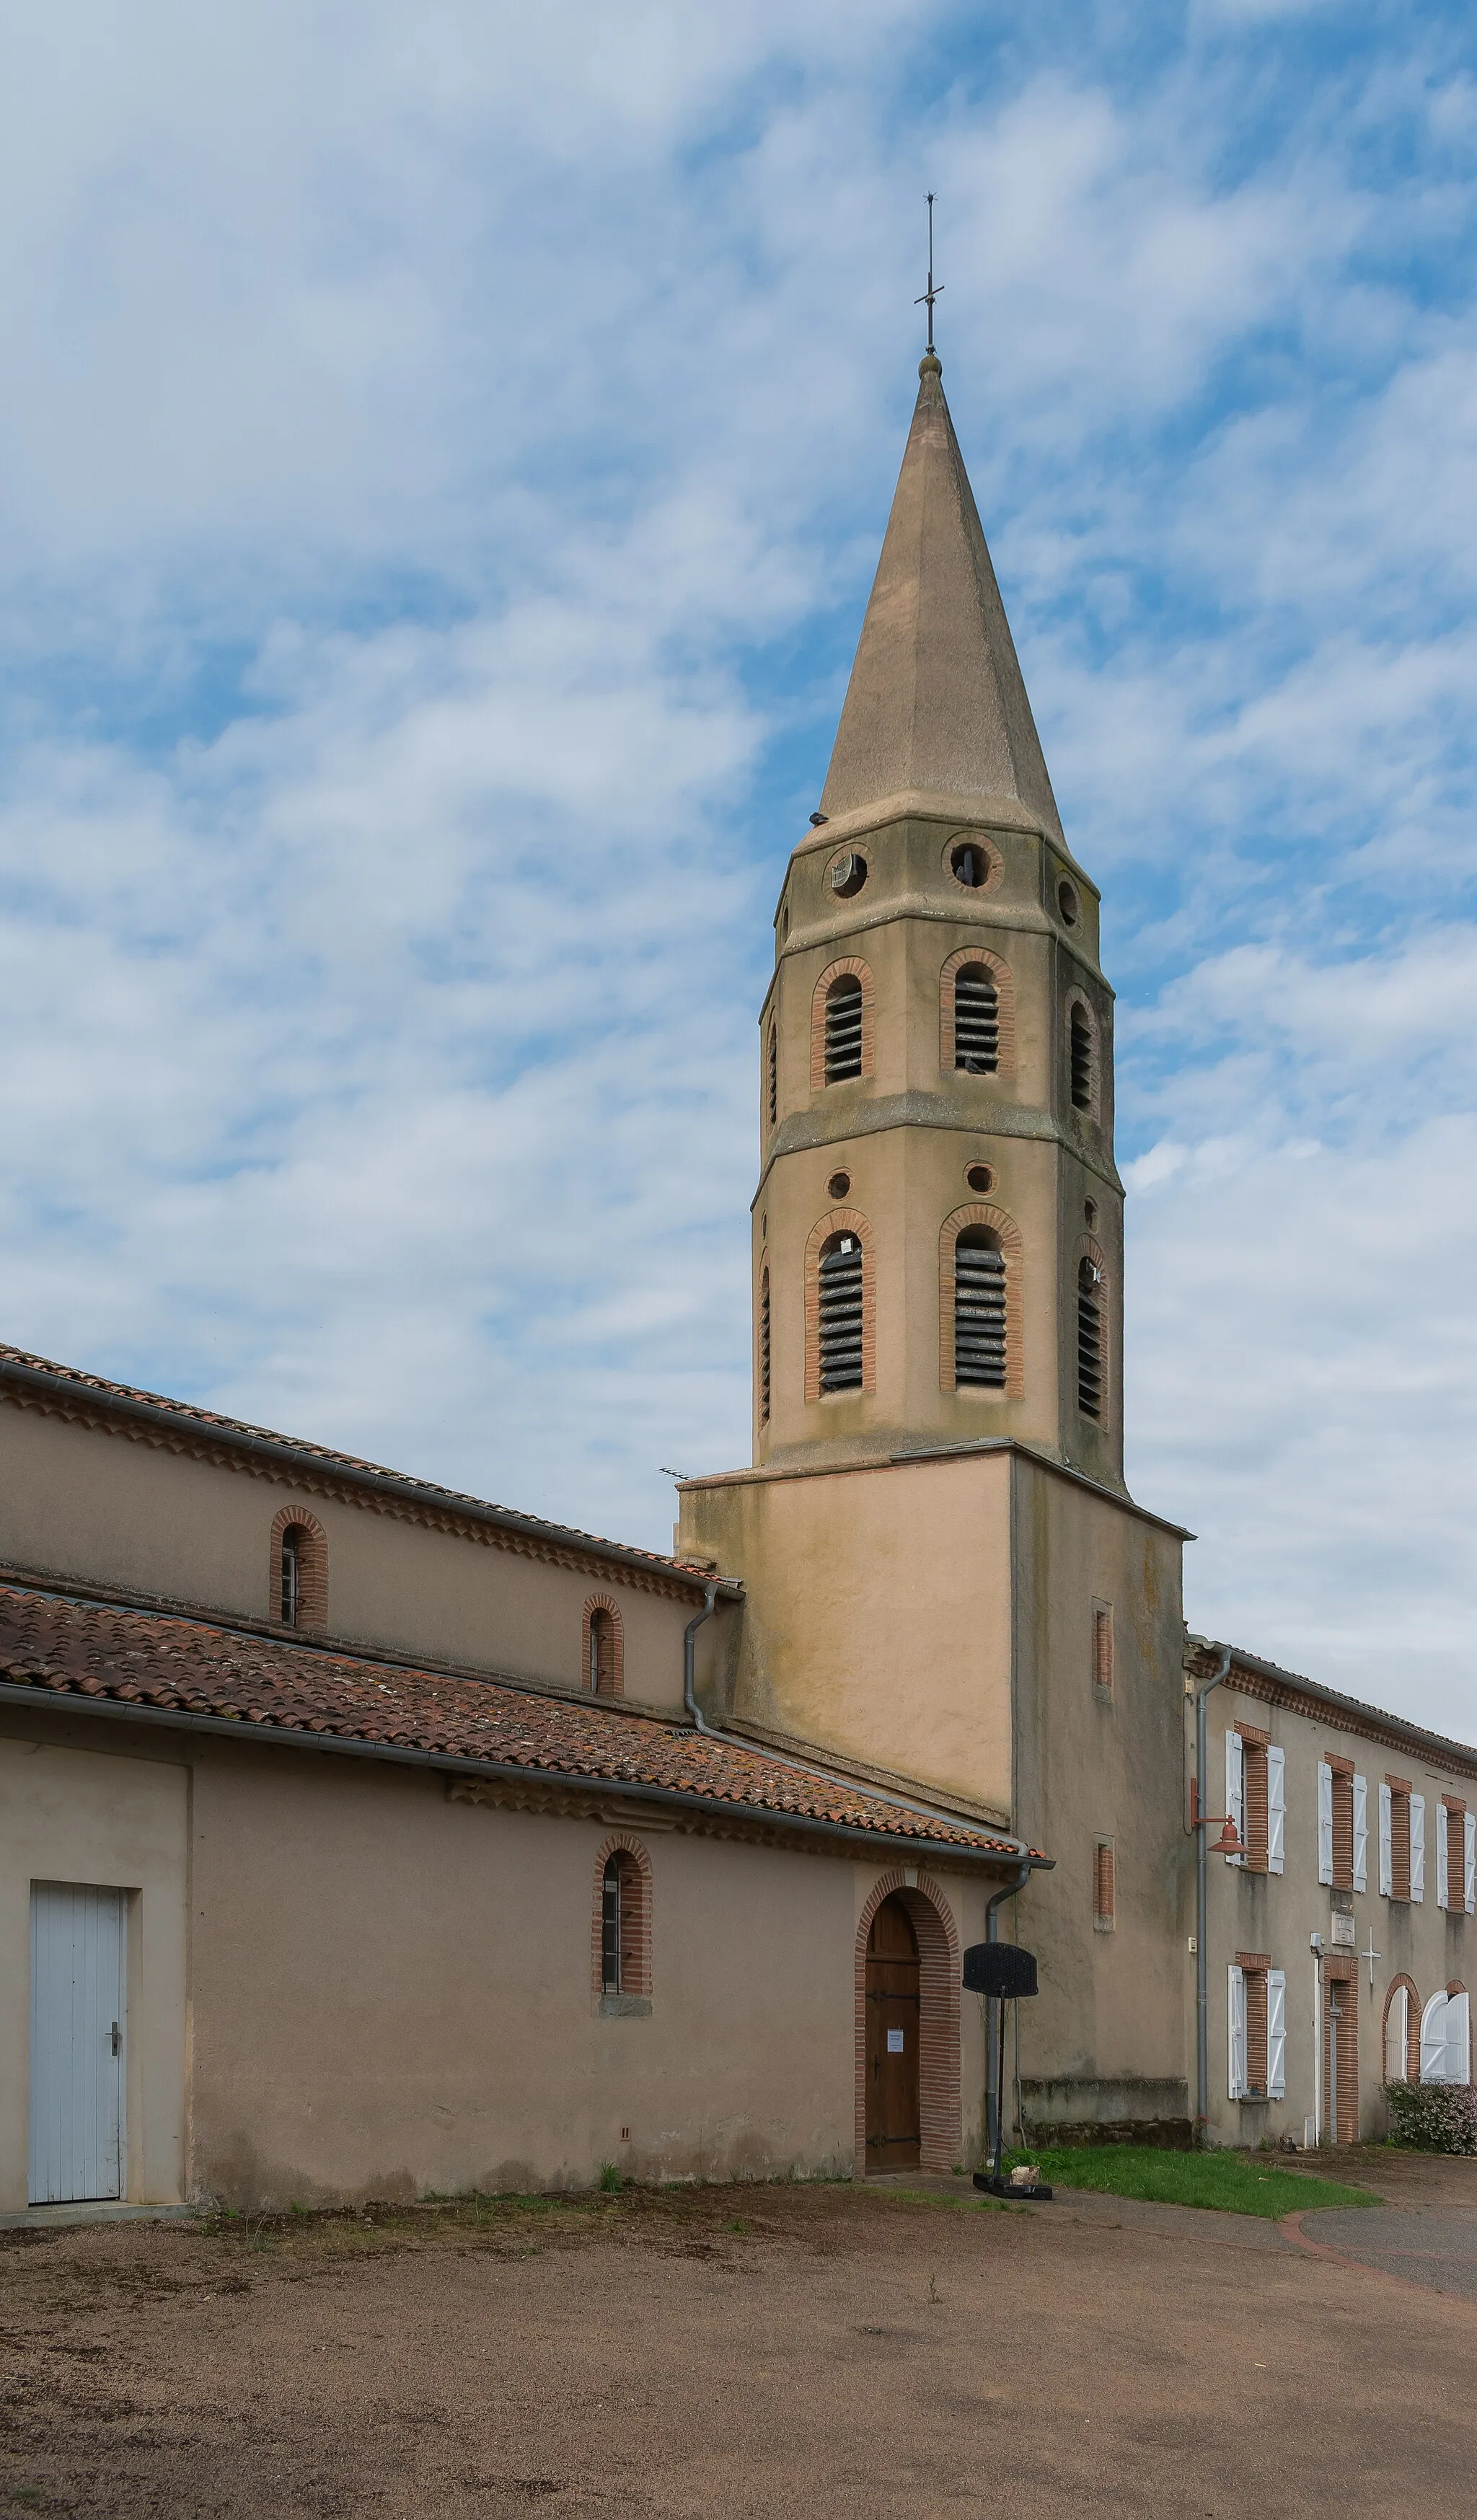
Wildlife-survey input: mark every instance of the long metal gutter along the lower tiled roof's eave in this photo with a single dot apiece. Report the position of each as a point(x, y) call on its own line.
point(503, 1773)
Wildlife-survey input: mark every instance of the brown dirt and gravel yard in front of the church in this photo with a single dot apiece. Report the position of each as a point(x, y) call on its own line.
point(740, 2352)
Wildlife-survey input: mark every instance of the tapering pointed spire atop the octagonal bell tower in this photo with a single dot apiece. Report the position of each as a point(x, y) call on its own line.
point(936, 704)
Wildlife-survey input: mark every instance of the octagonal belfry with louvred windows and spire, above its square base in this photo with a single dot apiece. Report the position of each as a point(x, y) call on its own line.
point(939, 1216)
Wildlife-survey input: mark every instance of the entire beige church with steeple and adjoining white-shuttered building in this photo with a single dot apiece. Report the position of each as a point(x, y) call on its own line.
point(362, 1838)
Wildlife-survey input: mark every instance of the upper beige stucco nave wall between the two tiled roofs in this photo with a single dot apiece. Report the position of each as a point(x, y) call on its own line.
point(107, 1511)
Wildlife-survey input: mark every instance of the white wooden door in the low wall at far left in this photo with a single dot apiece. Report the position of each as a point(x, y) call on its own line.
point(77, 2042)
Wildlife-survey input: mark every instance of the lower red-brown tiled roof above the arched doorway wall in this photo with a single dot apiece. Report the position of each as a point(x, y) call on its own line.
point(193, 1669)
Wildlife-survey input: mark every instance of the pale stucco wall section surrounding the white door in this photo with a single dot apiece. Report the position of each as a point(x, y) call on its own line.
point(120, 1823)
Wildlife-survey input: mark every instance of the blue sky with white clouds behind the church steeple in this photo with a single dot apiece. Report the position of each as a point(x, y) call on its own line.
point(442, 465)
